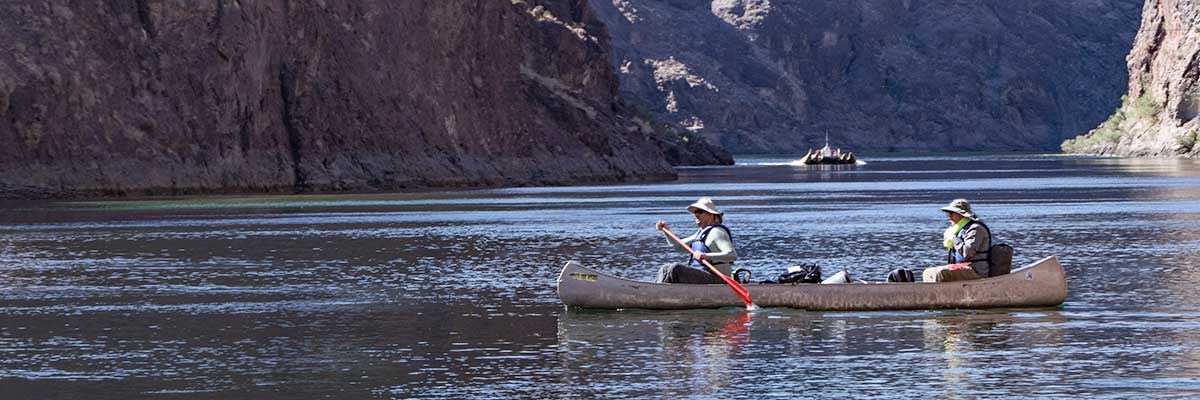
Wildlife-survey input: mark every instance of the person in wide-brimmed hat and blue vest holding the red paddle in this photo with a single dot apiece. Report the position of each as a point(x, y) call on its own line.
point(712, 242)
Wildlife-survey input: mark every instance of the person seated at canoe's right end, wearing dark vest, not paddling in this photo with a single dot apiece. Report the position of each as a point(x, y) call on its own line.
point(968, 240)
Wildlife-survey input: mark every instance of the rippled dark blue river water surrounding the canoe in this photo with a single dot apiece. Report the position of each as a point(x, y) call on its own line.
point(452, 295)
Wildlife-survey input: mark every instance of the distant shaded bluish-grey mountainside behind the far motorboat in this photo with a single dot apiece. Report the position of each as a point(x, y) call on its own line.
point(761, 76)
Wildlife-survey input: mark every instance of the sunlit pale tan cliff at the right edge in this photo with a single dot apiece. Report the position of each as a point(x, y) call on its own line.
point(1160, 116)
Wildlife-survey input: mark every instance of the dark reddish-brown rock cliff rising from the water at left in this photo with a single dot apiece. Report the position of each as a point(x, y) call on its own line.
point(146, 97)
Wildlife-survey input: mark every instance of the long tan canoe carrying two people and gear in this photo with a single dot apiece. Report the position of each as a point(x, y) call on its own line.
point(1041, 284)
